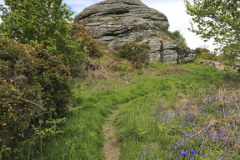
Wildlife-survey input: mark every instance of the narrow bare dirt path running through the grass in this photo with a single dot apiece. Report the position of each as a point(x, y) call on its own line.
point(111, 149)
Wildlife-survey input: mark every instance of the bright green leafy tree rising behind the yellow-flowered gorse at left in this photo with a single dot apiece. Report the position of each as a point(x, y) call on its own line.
point(53, 31)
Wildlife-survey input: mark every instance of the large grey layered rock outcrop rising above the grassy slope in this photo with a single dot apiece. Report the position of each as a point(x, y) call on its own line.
point(116, 21)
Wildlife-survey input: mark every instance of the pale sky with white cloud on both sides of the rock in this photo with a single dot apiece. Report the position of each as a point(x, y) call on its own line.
point(174, 10)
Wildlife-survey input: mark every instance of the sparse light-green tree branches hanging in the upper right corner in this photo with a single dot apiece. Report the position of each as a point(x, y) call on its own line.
point(225, 23)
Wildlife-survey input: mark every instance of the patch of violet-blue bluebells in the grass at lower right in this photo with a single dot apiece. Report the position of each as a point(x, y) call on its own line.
point(184, 153)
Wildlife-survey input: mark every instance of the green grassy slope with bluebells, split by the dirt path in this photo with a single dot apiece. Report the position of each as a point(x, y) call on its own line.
point(156, 115)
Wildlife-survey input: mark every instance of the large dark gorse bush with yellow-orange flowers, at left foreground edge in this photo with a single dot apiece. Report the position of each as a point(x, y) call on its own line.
point(28, 77)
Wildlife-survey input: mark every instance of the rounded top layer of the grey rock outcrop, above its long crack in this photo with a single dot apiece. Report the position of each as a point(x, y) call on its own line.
point(122, 8)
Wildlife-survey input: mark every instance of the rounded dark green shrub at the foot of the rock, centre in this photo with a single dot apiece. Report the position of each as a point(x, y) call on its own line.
point(135, 52)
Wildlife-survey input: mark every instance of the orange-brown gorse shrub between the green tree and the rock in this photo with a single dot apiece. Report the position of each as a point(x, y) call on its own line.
point(79, 31)
